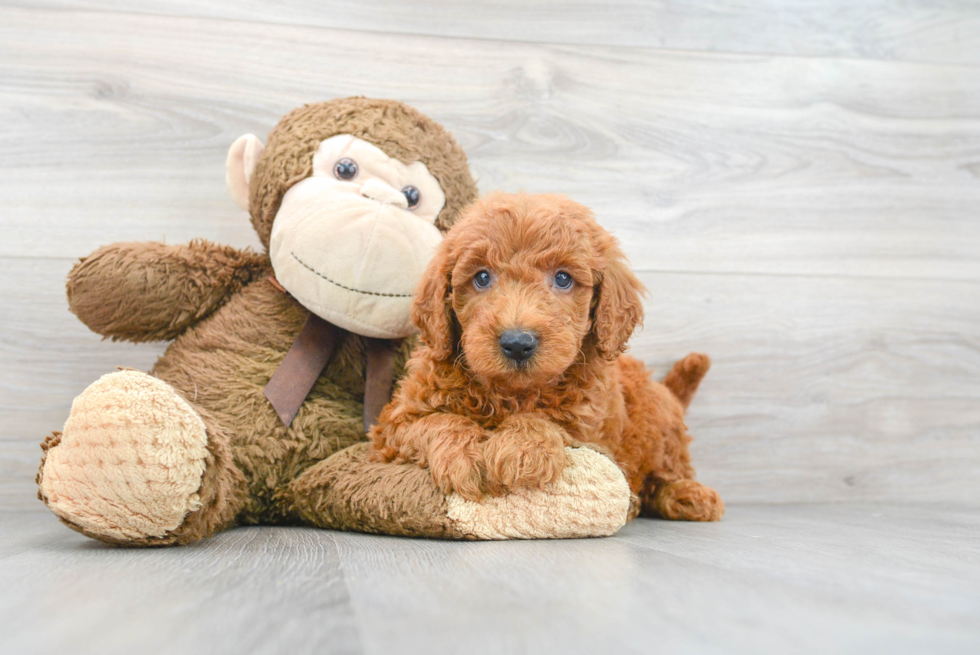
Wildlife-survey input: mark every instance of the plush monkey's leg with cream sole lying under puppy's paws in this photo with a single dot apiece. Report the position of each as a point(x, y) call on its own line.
point(349, 492)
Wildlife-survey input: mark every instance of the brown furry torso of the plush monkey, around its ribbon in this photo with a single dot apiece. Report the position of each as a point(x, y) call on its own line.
point(223, 365)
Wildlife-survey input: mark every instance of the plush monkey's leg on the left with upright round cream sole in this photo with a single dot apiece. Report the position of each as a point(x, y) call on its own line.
point(137, 465)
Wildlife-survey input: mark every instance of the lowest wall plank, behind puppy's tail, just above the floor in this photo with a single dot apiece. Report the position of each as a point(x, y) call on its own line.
point(822, 388)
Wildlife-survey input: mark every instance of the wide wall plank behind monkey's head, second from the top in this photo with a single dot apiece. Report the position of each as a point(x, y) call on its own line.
point(118, 125)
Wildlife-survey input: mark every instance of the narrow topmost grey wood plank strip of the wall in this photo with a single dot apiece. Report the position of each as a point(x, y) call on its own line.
point(918, 30)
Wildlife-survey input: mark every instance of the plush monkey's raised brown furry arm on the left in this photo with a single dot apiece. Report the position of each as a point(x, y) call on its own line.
point(152, 291)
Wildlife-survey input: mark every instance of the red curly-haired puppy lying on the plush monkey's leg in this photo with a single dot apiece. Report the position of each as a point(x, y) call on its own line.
point(524, 313)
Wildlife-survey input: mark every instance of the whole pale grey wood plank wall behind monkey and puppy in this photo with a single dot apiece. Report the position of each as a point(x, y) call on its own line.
point(797, 182)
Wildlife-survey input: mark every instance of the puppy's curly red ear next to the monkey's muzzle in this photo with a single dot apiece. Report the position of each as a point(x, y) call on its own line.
point(432, 310)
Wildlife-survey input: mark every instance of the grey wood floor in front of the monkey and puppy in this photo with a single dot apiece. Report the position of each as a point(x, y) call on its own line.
point(768, 579)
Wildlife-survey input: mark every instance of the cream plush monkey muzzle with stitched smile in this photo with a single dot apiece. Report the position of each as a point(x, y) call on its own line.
point(351, 259)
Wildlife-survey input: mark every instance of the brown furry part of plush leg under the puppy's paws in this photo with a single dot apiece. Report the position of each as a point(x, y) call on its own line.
point(350, 492)
